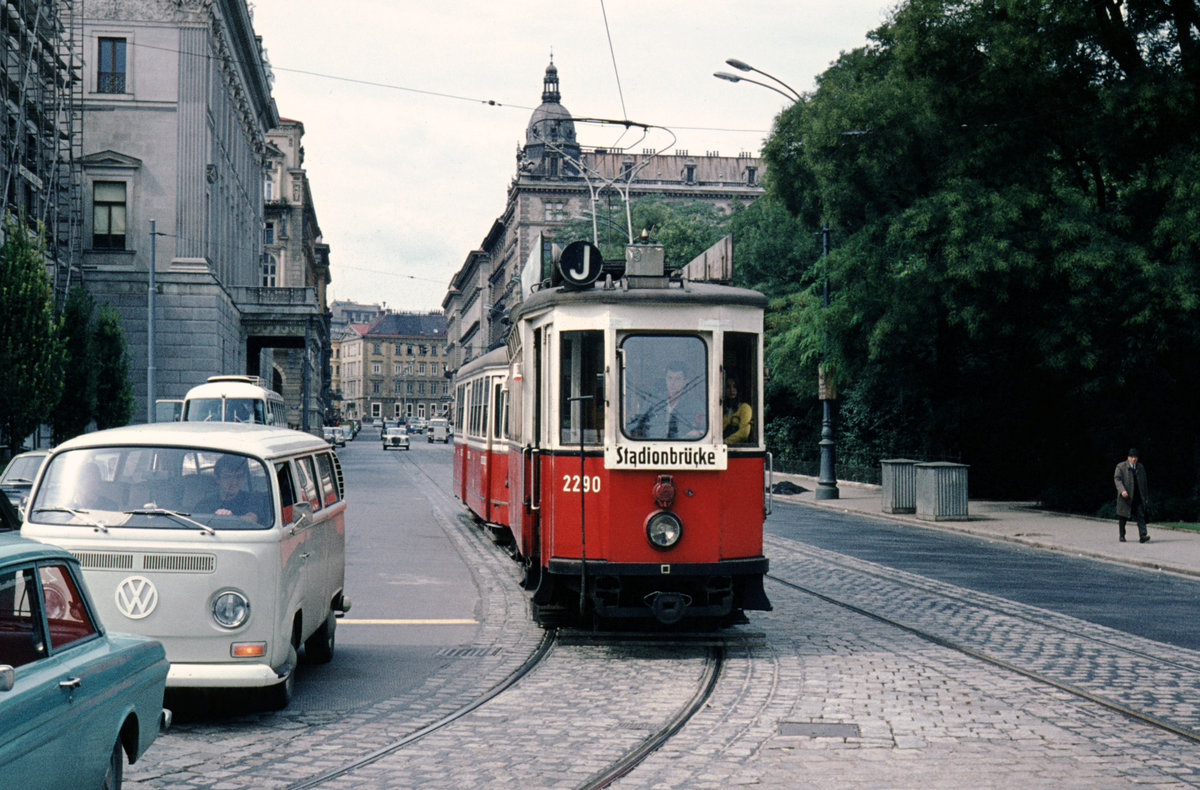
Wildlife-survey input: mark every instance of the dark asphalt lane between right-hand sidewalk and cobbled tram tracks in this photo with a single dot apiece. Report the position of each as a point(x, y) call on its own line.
point(1147, 603)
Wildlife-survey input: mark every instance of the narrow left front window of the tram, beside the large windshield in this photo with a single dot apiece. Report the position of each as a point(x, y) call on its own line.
point(581, 387)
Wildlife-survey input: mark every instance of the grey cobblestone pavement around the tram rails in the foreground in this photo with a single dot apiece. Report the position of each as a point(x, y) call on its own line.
point(829, 699)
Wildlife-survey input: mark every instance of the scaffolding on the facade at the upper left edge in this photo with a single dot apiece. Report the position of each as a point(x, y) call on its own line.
point(41, 135)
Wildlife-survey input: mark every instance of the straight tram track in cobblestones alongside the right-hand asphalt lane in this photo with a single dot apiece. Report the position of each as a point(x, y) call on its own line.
point(1186, 674)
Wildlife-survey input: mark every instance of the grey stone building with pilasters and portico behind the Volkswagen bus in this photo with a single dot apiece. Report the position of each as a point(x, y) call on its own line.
point(178, 113)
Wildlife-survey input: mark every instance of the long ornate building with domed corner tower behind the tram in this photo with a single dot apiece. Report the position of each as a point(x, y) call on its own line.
point(554, 182)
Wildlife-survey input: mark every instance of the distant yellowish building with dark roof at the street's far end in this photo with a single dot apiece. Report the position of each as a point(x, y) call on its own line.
point(395, 367)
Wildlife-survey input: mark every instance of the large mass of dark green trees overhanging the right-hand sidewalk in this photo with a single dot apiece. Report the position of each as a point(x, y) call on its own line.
point(1012, 190)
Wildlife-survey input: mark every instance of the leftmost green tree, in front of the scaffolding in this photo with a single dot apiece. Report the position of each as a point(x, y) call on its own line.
point(31, 344)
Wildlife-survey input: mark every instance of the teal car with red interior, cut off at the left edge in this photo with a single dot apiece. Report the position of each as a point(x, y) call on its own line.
point(76, 702)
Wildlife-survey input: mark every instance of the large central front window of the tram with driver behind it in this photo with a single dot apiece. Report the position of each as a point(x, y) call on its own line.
point(664, 391)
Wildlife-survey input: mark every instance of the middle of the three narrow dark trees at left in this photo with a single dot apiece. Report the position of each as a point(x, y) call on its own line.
point(79, 402)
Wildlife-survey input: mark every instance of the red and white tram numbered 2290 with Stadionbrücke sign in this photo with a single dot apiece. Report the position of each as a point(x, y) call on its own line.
point(598, 439)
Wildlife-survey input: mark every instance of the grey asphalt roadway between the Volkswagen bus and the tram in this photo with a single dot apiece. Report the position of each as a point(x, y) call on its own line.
point(413, 597)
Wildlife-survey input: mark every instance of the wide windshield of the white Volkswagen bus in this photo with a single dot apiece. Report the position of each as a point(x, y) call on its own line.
point(164, 488)
